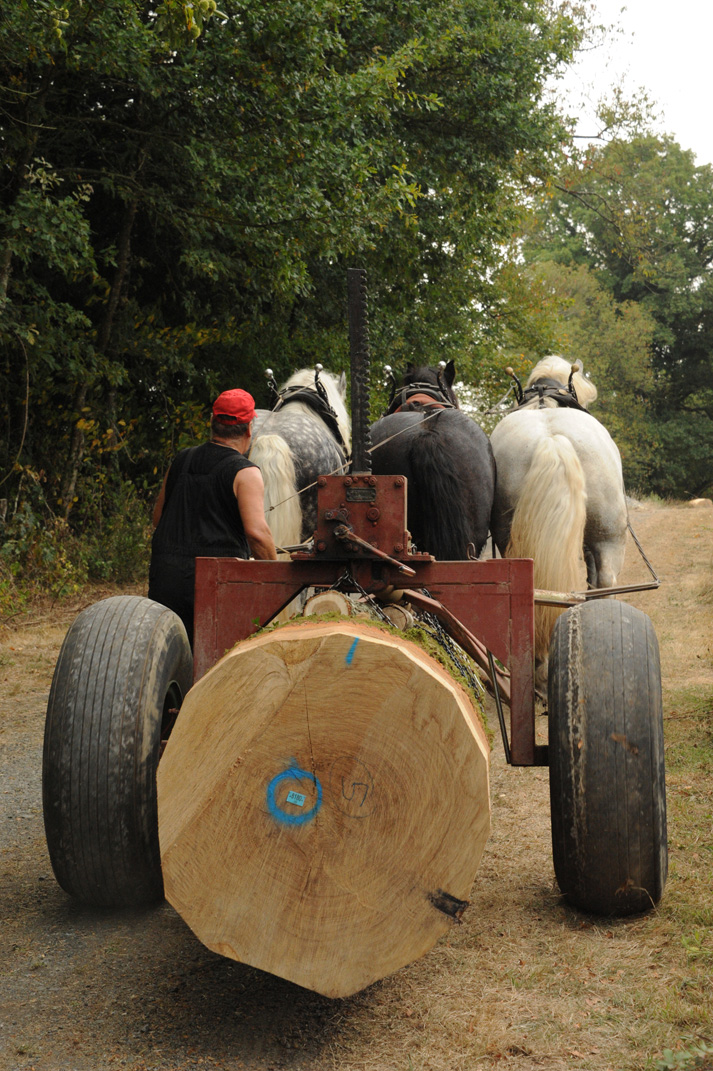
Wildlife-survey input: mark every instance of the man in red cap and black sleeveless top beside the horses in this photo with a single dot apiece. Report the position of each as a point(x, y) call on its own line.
point(210, 506)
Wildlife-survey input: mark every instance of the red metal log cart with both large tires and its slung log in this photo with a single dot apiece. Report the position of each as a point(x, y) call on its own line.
point(323, 803)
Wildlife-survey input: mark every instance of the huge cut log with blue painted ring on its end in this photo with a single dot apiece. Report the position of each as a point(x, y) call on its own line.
point(324, 805)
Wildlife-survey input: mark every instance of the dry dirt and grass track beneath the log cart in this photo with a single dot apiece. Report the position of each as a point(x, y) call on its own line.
point(525, 982)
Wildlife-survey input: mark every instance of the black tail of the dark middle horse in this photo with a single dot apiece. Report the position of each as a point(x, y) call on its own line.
point(441, 525)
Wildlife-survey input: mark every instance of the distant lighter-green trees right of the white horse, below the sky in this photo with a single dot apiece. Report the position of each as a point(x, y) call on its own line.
point(635, 216)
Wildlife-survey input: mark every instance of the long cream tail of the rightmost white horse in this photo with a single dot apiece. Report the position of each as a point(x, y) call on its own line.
point(549, 526)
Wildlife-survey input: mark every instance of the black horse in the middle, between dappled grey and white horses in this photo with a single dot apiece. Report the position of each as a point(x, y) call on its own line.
point(447, 460)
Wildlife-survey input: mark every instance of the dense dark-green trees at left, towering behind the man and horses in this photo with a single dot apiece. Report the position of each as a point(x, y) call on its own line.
point(183, 190)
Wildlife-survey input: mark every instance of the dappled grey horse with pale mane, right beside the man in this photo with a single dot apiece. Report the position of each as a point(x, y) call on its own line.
point(308, 434)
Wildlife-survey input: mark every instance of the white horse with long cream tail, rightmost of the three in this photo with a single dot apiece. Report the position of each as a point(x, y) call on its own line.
point(560, 491)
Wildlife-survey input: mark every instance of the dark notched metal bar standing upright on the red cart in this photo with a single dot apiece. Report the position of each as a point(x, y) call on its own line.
point(359, 351)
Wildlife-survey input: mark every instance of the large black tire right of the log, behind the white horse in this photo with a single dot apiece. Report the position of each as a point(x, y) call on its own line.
point(606, 759)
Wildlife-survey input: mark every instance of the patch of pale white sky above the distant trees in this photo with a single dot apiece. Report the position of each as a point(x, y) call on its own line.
point(666, 49)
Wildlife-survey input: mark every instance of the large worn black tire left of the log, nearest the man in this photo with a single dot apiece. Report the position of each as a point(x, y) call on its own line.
point(122, 676)
